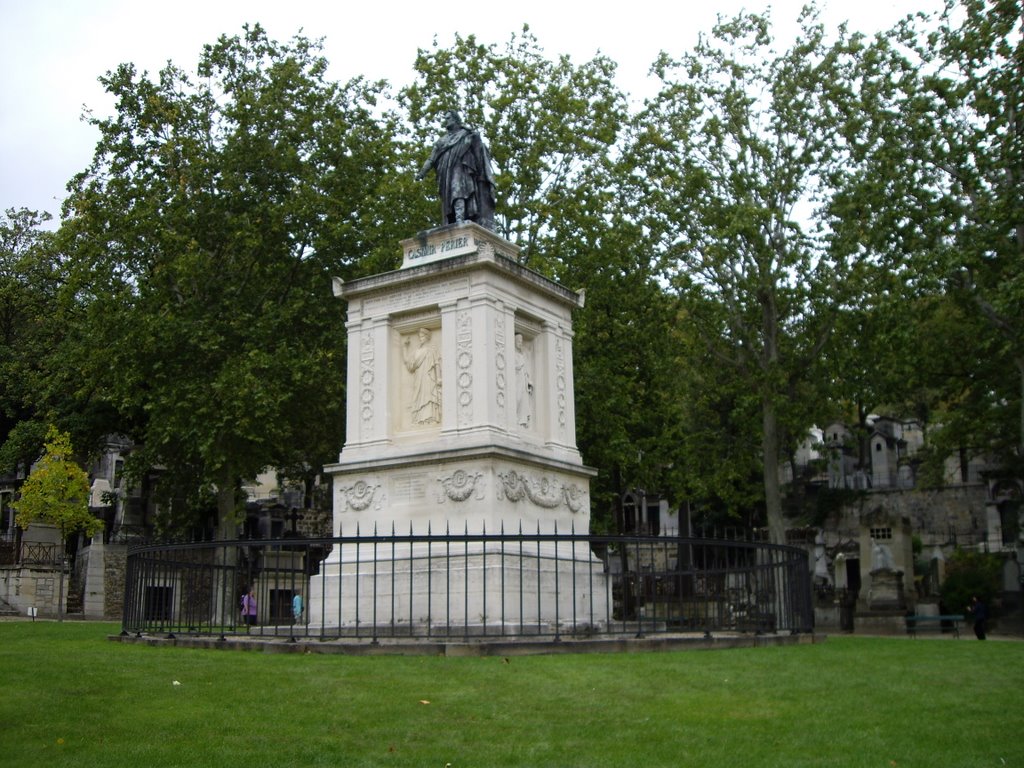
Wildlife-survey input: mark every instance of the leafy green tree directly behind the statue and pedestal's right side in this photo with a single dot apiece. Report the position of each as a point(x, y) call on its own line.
point(553, 127)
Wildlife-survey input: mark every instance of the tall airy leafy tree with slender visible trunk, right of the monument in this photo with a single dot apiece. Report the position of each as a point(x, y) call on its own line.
point(737, 154)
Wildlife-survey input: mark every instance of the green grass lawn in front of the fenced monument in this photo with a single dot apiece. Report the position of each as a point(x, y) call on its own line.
point(71, 698)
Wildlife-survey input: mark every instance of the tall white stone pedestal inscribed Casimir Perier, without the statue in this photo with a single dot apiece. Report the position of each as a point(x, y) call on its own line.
point(460, 461)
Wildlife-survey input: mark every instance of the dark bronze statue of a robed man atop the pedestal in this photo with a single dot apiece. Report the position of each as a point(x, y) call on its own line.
point(465, 180)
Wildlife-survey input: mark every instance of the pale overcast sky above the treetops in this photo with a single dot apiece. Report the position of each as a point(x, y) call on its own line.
point(53, 53)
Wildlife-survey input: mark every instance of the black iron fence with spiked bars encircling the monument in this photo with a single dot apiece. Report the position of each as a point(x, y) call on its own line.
point(468, 586)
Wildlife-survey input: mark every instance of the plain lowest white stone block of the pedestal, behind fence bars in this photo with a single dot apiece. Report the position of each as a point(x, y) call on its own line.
point(457, 588)
